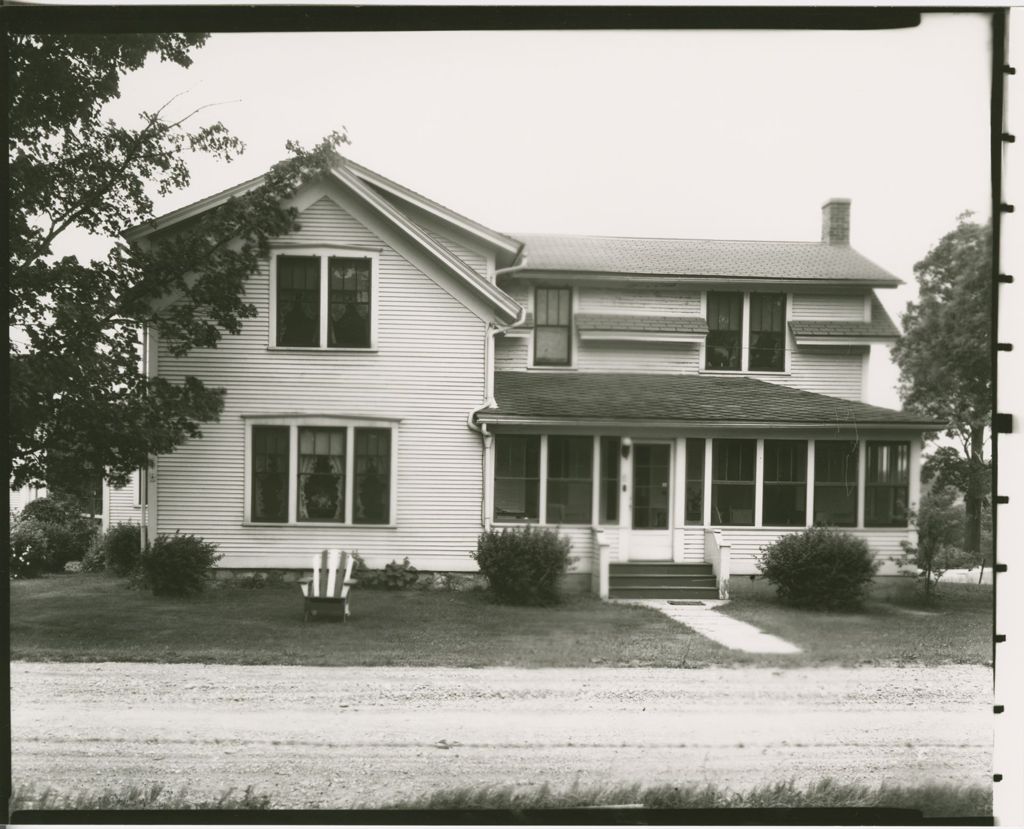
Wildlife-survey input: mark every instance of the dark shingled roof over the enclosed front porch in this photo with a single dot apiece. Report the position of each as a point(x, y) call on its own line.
point(583, 397)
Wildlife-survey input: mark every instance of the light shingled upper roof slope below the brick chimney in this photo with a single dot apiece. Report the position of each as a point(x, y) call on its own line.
point(700, 257)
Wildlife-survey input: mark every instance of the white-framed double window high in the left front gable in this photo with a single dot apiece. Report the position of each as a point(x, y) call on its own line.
point(322, 299)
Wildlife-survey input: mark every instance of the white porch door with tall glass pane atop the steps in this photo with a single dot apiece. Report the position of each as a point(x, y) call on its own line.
point(652, 537)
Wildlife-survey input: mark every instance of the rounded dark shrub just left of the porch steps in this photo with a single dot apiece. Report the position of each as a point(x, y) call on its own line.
point(523, 565)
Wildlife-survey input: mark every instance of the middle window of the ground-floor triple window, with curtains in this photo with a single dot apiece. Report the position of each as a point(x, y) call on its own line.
point(321, 492)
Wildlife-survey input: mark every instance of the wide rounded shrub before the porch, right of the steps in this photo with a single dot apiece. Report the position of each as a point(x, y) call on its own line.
point(821, 569)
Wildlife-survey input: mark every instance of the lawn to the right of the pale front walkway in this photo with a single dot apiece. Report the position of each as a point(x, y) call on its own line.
point(894, 627)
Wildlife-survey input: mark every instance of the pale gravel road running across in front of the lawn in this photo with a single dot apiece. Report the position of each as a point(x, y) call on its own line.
point(315, 737)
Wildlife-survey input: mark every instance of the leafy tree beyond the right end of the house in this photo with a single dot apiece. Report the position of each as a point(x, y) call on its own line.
point(946, 364)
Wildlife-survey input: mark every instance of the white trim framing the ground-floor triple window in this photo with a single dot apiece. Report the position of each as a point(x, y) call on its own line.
point(295, 422)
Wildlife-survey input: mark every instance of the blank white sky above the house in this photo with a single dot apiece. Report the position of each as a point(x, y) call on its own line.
point(717, 135)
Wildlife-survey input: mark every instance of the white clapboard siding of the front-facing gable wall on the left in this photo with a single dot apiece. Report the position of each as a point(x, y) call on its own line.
point(428, 374)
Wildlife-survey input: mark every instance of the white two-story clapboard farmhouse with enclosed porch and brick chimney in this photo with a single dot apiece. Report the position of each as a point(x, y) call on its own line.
point(414, 377)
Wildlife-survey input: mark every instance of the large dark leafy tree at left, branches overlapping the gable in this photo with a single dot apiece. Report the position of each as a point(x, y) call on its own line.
point(79, 401)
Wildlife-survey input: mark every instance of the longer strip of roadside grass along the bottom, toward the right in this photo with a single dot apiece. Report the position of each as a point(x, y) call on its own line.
point(934, 801)
